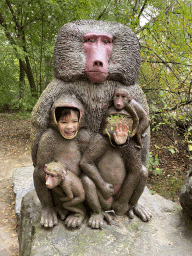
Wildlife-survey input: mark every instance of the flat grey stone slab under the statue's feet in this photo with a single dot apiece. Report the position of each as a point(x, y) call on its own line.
point(167, 234)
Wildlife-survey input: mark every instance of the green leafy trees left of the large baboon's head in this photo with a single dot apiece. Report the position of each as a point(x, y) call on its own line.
point(28, 30)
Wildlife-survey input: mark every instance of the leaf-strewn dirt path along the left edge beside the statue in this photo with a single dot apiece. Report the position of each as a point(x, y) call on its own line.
point(14, 152)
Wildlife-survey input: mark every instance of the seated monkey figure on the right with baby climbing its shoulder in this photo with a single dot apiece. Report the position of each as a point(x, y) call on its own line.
point(102, 178)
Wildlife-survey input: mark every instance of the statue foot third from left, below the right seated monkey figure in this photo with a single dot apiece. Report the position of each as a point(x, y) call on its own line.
point(96, 220)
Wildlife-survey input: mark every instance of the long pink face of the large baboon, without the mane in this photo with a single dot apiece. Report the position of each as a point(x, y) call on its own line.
point(97, 48)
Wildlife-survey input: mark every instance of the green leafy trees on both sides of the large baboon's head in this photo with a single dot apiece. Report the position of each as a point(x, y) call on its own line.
point(28, 29)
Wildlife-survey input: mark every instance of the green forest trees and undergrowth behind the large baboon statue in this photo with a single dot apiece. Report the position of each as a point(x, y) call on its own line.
point(28, 30)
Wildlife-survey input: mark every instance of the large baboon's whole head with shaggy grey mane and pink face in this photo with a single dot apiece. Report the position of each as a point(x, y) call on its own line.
point(97, 51)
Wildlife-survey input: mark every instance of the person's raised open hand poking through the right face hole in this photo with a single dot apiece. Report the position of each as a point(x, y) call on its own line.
point(121, 133)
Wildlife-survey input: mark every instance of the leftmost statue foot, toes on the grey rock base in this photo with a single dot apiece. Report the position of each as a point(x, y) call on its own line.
point(48, 217)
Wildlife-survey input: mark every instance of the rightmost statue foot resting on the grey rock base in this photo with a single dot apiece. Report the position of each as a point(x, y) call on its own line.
point(143, 213)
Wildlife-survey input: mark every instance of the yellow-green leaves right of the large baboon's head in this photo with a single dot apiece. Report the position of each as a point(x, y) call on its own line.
point(166, 61)
